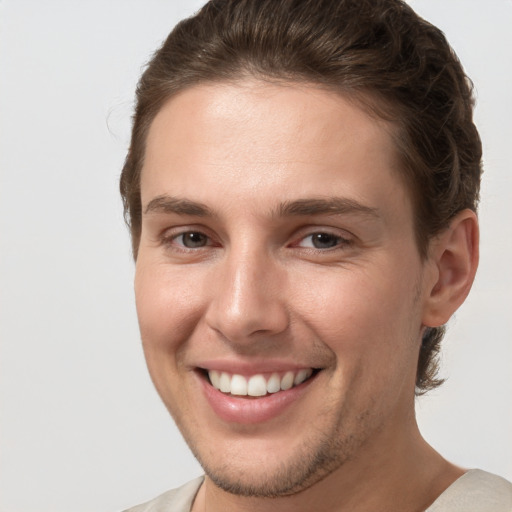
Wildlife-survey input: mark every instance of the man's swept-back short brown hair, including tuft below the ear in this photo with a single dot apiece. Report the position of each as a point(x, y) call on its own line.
point(376, 51)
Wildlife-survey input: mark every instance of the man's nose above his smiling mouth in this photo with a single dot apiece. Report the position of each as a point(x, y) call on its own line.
point(248, 301)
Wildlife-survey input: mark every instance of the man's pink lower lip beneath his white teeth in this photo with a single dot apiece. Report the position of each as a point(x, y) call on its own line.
point(252, 410)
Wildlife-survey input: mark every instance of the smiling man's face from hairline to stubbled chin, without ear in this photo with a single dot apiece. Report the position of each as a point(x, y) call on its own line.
point(277, 245)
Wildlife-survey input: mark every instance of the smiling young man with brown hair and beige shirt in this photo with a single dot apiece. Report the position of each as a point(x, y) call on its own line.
point(301, 189)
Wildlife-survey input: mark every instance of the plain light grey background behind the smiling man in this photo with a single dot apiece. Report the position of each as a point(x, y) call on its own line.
point(81, 426)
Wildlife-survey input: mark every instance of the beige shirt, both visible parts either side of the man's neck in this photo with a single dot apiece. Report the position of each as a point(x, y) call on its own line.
point(475, 491)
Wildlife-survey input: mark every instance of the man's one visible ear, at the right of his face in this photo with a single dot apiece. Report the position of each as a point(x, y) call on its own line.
point(453, 259)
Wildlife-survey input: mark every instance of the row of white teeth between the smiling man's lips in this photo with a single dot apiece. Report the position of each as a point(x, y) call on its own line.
point(258, 385)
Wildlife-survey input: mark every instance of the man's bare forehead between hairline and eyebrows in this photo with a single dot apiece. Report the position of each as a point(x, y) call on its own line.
point(257, 136)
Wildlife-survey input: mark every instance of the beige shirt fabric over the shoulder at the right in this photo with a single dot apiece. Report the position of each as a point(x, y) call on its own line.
point(477, 491)
